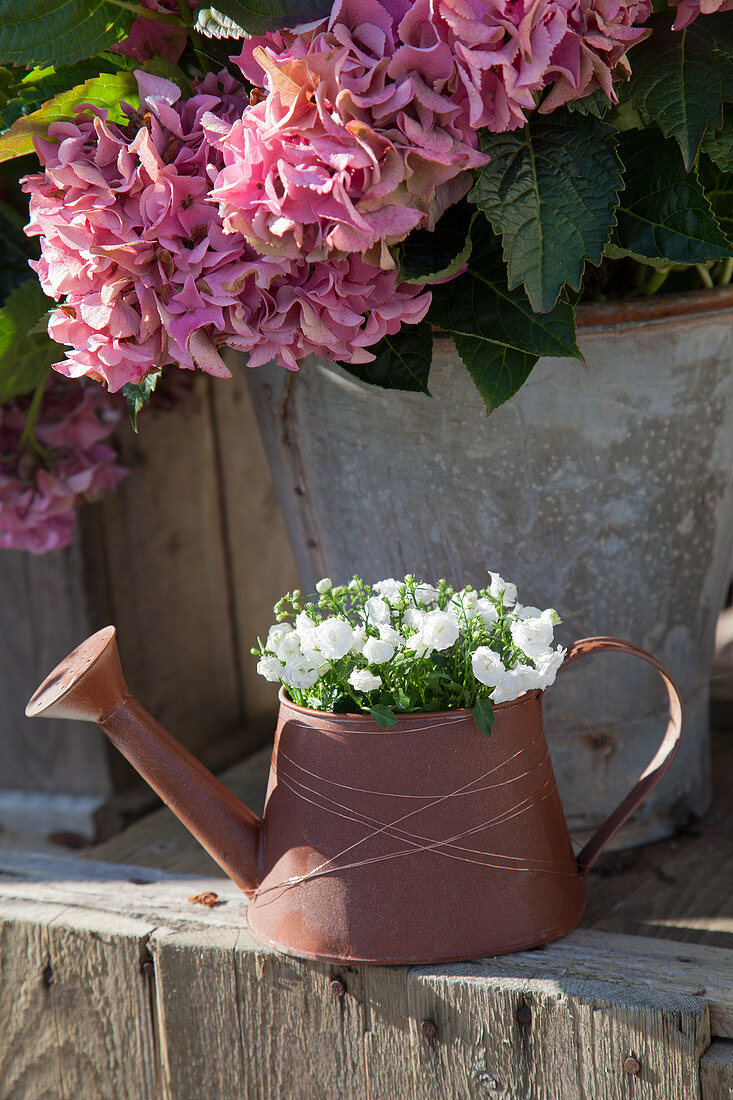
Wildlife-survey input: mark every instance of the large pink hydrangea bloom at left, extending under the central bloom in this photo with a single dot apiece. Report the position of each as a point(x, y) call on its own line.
point(148, 274)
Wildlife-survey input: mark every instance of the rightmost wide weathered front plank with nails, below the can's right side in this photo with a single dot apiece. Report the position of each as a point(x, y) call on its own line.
point(538, 1040)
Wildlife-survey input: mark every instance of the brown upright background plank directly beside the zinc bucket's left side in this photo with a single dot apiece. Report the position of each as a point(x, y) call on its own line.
point(261, 565)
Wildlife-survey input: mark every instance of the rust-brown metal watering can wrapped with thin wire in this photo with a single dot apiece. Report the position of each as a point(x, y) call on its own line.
point(424, 843)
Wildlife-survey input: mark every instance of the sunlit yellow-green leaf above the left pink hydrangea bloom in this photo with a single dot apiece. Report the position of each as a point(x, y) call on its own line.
point(104, 91)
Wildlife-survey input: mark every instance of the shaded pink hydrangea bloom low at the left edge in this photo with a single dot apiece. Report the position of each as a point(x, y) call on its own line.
point(38, 499)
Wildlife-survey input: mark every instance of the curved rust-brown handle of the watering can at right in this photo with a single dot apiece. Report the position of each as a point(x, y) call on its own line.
point(657, 769)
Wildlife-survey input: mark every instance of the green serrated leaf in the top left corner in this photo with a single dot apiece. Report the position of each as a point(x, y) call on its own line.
point(60, 32)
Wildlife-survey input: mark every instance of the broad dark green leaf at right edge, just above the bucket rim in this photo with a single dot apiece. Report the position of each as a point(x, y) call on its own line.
point(663, 213)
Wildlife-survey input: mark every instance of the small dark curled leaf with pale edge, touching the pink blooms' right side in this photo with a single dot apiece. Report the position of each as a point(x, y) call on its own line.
point(432, 256)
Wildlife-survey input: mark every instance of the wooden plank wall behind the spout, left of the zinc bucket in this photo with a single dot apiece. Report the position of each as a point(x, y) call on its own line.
point(187, 560)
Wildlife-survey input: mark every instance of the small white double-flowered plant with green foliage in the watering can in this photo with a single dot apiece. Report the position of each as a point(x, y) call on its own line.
point(399, 647)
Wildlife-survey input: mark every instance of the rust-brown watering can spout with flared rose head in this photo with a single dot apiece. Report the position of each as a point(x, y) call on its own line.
point(90, 686)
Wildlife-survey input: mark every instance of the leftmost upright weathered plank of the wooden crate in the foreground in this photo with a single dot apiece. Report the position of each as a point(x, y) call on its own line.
point(79, 1022)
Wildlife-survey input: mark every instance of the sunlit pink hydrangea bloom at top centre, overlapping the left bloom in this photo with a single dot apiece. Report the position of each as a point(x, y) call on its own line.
point(358, 141)
